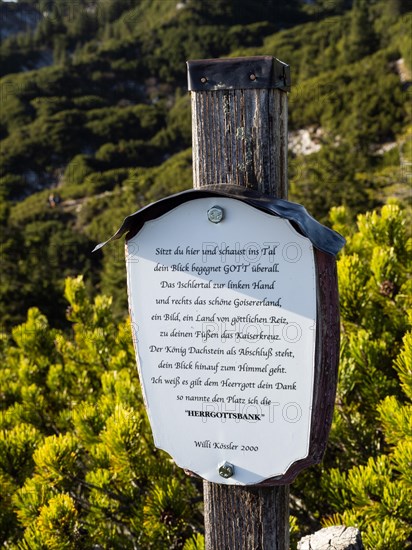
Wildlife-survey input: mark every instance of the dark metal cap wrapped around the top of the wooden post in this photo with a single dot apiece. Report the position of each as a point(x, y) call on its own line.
point(238, 73)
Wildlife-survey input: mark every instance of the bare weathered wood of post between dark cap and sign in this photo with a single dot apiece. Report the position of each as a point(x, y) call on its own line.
point(240, 138)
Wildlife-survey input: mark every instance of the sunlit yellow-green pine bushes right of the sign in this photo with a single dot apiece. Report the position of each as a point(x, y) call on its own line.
point(373, 415)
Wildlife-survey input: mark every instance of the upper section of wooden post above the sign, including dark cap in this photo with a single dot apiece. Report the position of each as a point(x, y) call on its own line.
point(239, 122)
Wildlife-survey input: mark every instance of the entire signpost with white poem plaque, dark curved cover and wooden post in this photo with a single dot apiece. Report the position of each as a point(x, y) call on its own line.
point(234, 309)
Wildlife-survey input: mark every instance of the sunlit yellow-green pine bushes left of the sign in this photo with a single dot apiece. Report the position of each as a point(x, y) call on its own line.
point(77, 465)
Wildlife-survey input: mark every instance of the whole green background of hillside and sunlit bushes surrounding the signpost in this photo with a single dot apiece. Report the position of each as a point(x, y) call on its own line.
point(94, 124)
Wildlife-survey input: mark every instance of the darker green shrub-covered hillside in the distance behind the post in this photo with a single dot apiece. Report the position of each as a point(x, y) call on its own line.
point(106, 125)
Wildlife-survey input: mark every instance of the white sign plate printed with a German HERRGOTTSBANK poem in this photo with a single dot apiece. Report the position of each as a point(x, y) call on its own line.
point(223, 305)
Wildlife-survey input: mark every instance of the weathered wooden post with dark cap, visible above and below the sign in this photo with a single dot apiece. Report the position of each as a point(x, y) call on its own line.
point(239, 124)
